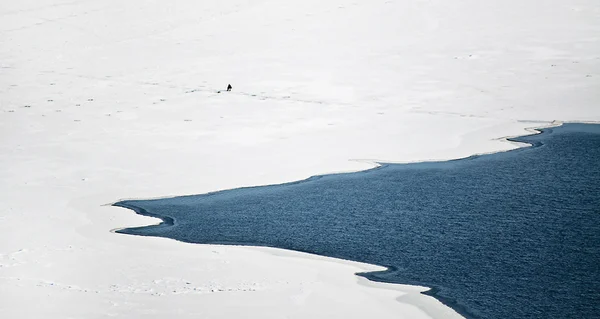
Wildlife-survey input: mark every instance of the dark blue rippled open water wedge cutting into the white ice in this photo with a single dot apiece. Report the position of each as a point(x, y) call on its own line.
point(507, 235)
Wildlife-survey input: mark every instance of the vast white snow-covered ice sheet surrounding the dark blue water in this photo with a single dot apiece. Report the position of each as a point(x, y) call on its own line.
point(108, 100)
